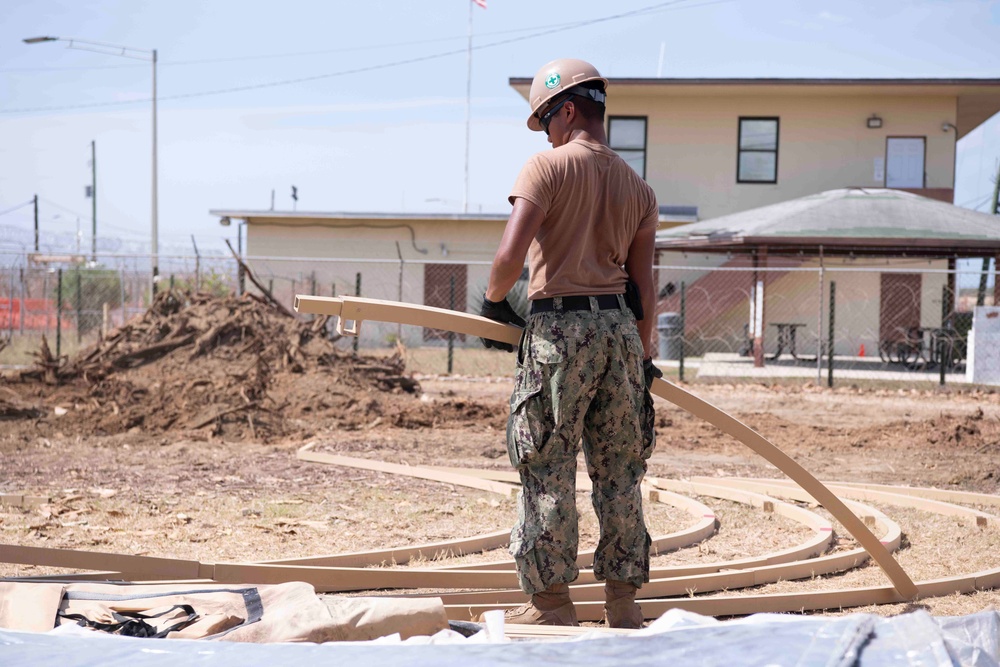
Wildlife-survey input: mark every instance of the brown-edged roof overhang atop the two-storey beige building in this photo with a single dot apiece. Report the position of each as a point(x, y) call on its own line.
point(978, 99)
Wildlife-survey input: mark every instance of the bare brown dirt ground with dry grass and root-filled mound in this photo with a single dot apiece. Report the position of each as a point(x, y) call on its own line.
point(179, 440)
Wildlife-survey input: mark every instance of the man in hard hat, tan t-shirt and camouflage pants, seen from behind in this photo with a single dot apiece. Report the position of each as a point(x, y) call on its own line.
point(586, 222)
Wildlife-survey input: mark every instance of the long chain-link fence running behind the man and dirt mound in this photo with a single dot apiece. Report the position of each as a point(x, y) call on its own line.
point(717, 317)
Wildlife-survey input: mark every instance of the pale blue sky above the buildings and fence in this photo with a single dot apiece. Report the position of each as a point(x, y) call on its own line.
point(369, 131)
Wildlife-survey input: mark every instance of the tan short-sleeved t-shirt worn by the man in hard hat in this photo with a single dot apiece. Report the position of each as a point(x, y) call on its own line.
point(594, 203)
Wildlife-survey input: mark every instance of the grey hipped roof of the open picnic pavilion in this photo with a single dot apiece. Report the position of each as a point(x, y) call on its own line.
point(863, 220)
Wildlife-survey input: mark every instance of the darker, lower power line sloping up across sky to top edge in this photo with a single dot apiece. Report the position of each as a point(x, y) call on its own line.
point(370, 68)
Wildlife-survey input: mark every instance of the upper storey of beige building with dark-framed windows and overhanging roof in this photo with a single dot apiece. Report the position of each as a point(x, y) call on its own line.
point(721, 146)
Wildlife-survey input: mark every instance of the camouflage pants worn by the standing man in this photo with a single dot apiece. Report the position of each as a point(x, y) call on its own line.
point(579, 375)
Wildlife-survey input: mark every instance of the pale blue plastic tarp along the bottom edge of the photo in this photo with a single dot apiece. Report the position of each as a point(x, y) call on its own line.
point(915, 639)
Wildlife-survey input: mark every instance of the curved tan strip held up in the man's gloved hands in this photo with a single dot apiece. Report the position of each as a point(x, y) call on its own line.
point(356, 310)
